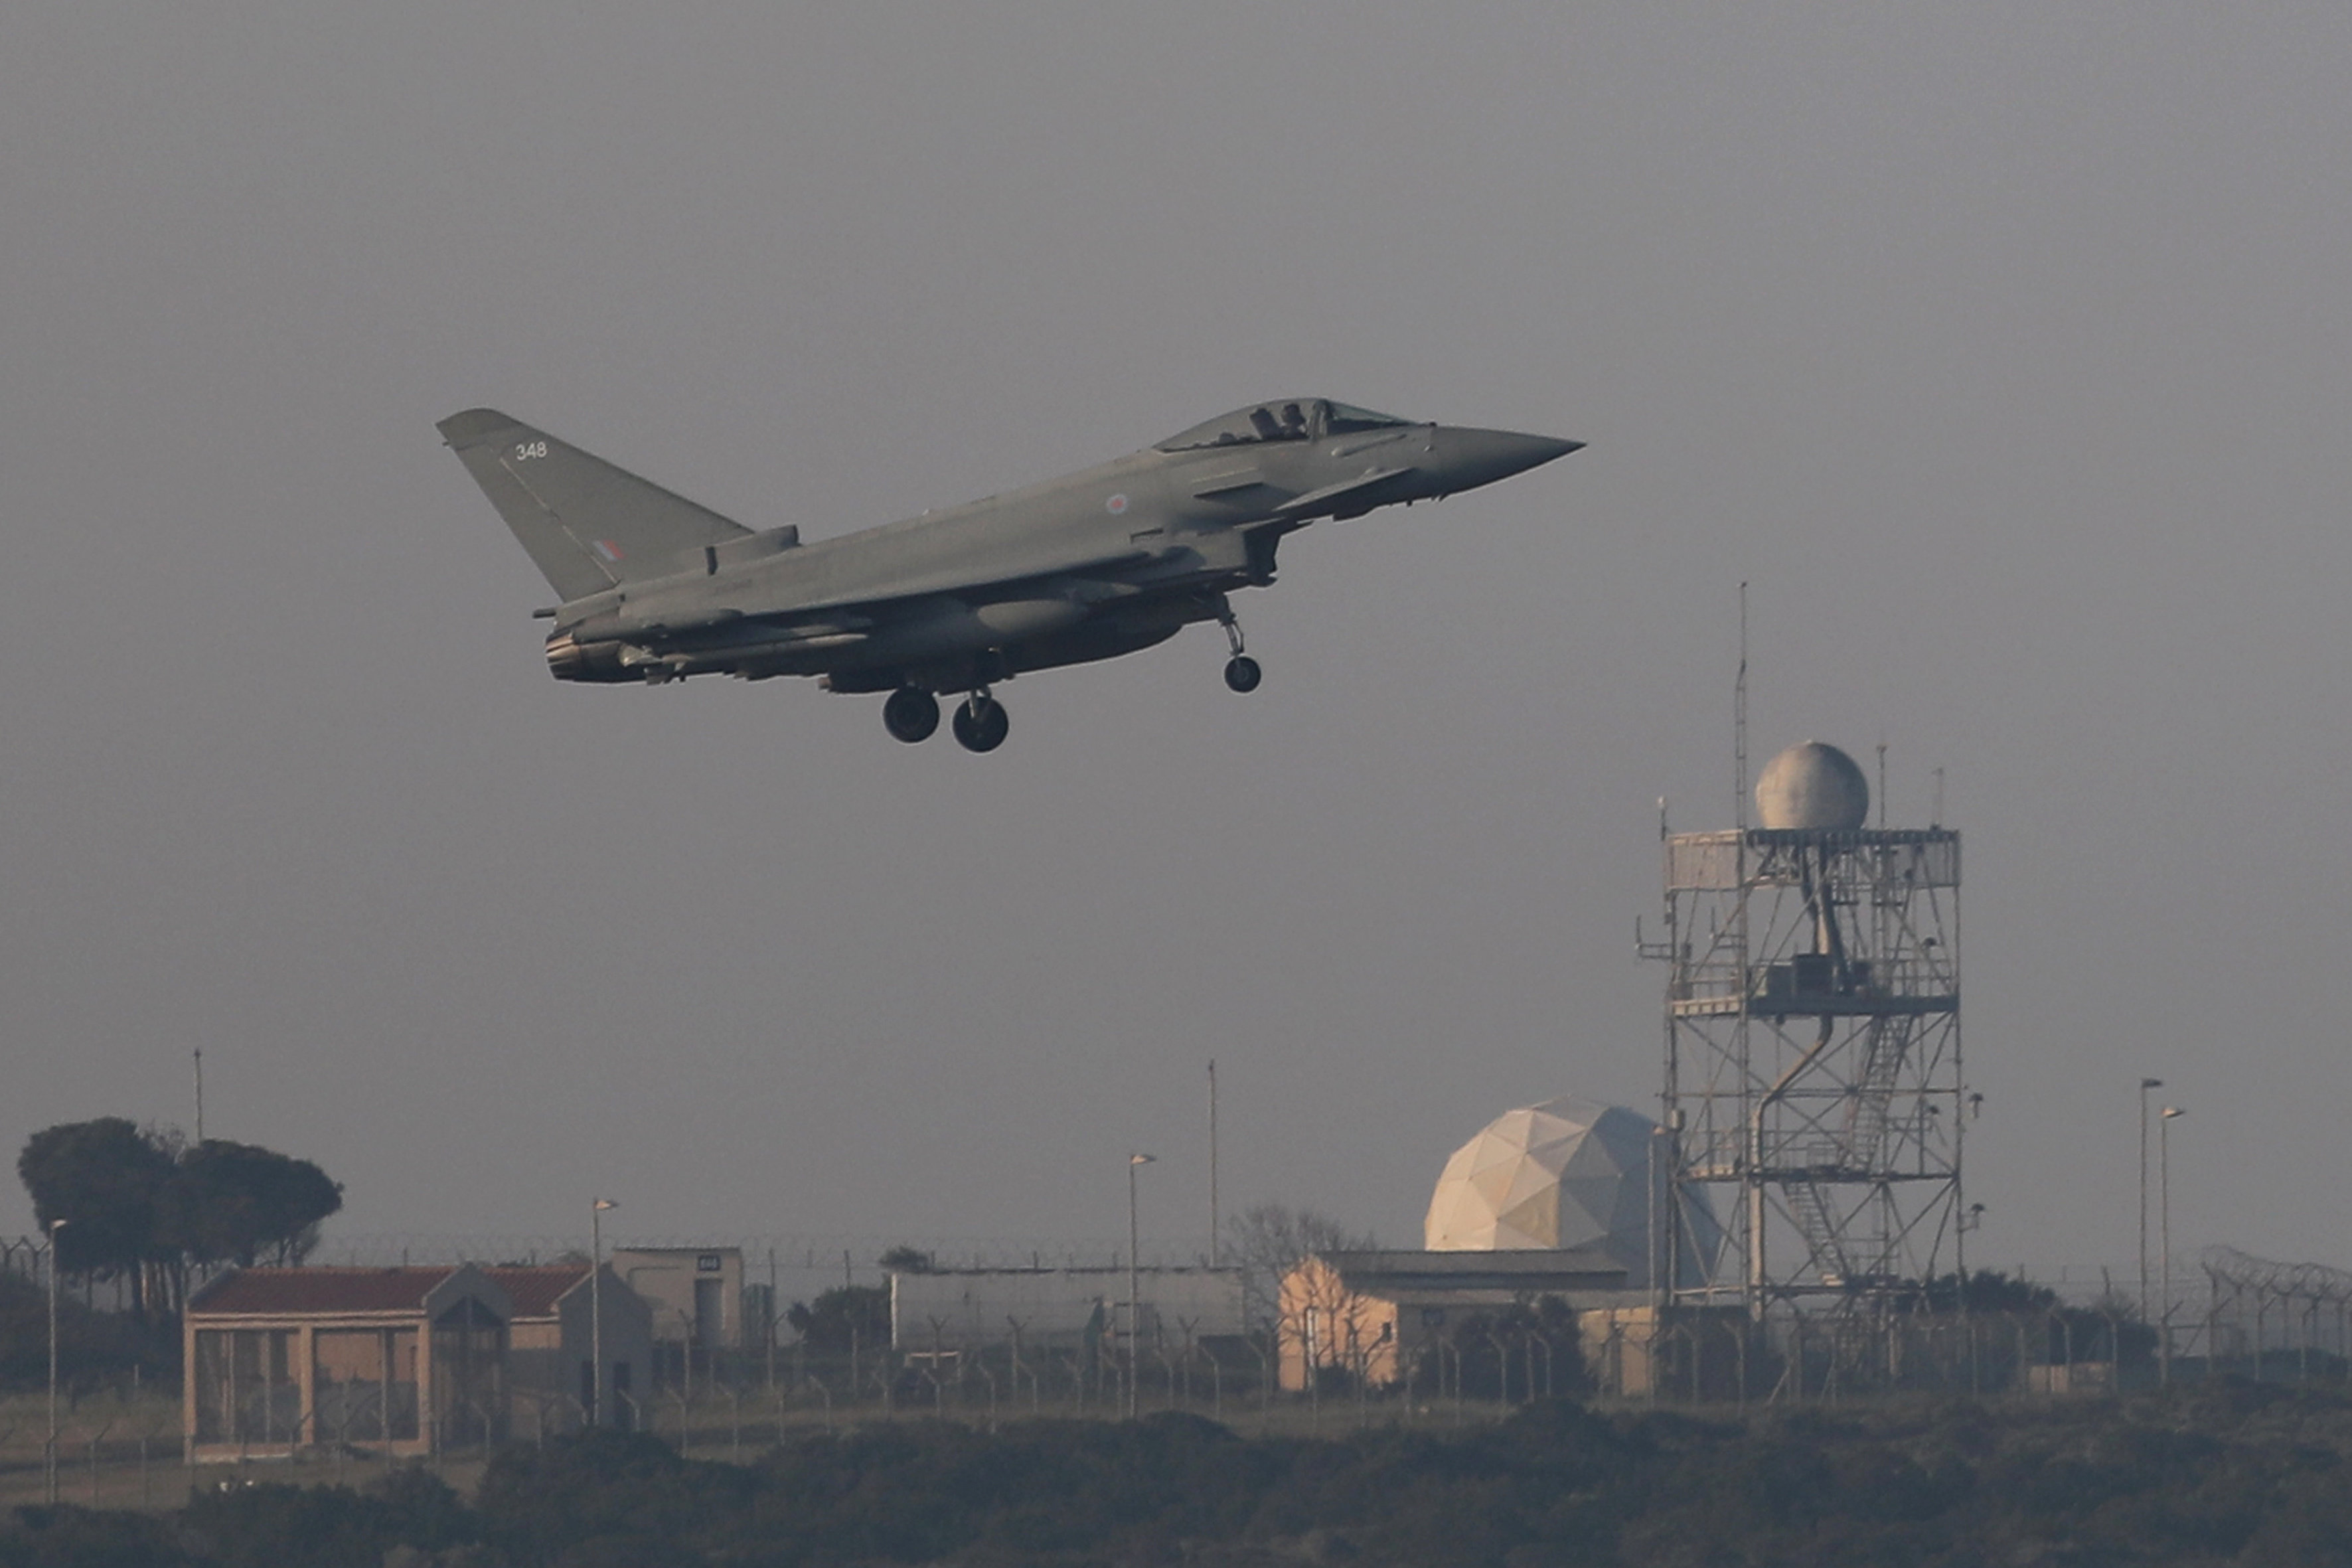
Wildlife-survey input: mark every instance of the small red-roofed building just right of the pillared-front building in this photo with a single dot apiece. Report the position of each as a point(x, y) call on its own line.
point(552, 1348)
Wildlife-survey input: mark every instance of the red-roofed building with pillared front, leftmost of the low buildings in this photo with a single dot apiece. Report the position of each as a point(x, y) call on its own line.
point(375, 1360)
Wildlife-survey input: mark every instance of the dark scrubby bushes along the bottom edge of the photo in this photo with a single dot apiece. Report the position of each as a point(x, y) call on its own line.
point(2221, 1473)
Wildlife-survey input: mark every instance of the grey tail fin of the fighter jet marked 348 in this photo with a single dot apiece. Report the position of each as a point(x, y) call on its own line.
point(584, 523)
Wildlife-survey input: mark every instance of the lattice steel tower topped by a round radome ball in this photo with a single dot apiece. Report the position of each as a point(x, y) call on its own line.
point(1812, 1045)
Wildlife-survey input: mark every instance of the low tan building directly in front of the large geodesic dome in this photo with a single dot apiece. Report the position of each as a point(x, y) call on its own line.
point(1377, 1313)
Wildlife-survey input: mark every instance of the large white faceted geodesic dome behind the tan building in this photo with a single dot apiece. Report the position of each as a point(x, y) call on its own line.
point(1556, 1177)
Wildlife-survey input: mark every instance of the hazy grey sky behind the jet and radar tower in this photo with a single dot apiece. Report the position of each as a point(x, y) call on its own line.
point(2003, 349)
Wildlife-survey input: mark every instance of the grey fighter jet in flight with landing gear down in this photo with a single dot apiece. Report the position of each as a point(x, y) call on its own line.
point(1093, 565)
